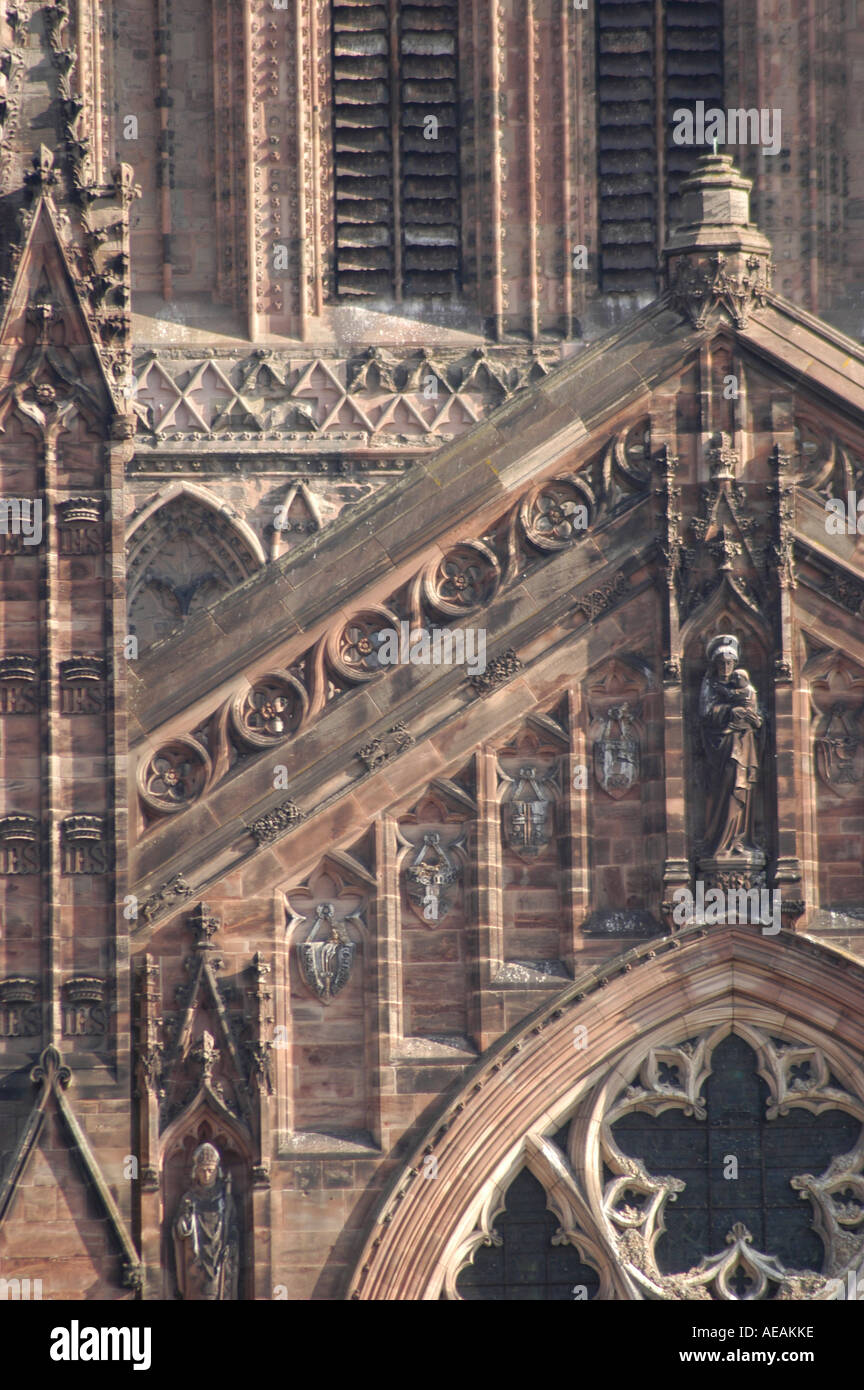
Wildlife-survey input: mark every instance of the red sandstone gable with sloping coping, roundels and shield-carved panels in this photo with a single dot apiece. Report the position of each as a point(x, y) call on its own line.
point(423, 853)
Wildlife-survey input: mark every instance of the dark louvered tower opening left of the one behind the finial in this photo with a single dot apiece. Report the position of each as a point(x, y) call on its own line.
point(397, 148)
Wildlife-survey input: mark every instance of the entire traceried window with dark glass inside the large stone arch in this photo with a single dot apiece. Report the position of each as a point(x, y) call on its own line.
point(729, 1168)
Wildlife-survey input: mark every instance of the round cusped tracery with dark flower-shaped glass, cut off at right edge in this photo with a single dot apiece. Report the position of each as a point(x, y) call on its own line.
point(733, 1171)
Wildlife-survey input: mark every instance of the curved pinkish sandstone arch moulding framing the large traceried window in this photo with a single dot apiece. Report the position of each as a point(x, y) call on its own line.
point(590, 1043)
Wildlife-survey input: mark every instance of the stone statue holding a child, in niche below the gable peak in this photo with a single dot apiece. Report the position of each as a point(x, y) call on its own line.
point(730, 719)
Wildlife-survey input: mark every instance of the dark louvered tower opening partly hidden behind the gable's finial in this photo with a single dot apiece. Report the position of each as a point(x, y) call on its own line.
point(654, 58)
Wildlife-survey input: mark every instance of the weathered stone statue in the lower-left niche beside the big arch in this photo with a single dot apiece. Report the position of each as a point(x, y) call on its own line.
point(206, 1234)
